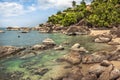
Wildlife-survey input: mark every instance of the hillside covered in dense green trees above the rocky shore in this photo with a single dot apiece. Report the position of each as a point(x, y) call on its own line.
point(100, 13)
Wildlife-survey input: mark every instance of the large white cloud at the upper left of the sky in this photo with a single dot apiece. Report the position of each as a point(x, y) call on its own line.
point(14, 9)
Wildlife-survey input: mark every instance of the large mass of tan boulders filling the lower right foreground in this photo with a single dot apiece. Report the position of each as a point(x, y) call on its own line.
point(100, 66)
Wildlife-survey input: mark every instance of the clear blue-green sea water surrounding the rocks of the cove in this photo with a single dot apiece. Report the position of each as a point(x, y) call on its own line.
point(45, 59)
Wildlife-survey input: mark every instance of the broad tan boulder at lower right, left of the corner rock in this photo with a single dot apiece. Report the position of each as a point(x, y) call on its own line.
point(96, 69)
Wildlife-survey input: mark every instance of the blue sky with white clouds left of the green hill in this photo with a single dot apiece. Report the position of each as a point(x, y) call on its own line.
point(29, 13)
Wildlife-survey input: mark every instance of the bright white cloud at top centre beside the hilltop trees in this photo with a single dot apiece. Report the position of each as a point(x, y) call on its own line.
point(58, 4)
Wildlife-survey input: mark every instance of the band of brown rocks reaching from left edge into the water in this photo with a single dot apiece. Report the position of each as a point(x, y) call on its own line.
point(24, 52)
